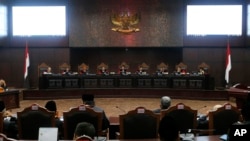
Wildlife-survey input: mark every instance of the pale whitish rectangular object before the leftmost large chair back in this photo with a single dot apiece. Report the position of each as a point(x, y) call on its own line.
point(48, 134)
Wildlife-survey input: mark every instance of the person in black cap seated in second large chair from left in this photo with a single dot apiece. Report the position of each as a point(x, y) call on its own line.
point(88, 99)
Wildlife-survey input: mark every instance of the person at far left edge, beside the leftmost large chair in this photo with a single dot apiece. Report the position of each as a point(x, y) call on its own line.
point(10, 122)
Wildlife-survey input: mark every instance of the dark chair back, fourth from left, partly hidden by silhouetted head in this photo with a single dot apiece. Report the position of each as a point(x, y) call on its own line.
point(185, 117)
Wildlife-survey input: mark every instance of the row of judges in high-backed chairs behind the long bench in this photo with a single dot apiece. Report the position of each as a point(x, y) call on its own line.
point(123, 69)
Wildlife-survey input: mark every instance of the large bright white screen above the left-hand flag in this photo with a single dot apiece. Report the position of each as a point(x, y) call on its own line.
point(39, 20)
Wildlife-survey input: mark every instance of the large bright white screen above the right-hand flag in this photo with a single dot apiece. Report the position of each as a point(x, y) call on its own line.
point(205, 20)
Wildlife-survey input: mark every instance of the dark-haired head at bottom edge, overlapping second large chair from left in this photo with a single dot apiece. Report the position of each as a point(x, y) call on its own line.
point(84, 129)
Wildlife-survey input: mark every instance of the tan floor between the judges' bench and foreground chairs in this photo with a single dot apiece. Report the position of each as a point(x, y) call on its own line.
point(118, 106)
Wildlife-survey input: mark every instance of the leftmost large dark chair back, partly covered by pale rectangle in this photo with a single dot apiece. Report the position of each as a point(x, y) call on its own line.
point(31, 119)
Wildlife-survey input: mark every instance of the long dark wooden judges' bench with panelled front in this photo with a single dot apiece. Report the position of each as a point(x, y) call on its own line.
point(56, 81)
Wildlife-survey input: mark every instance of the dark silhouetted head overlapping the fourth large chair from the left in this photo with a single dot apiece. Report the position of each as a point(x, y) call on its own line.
point(168, 129)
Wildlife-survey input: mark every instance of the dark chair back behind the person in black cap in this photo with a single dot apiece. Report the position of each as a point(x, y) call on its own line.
point(79, 114)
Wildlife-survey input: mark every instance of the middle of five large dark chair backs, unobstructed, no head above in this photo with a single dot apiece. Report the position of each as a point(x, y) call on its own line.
point(139, 124)
